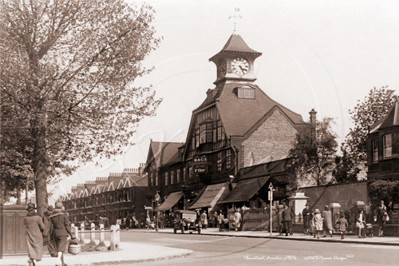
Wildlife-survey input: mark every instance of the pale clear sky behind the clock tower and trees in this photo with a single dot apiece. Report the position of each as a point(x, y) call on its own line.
point(325, 55)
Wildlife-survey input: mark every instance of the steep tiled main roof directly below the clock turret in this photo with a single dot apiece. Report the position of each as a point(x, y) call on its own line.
point(240, 115)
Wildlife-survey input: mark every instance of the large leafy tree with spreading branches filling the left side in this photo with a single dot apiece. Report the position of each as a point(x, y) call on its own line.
point(67, 71)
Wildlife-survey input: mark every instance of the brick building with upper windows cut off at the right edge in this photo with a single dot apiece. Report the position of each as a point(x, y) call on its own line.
point(383, 147)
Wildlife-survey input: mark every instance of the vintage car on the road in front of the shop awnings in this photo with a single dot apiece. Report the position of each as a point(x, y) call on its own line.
point(186, 221)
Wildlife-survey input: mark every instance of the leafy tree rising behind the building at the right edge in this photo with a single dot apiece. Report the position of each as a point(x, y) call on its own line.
point(374, 107)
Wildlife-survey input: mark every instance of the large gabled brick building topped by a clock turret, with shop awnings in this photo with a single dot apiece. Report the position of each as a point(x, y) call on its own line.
point(237, 126)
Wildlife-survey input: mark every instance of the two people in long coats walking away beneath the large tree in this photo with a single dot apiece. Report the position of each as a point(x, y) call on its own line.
point(51, 230)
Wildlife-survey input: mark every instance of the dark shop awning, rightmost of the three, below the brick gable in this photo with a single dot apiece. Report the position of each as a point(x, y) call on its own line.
point(245, 189)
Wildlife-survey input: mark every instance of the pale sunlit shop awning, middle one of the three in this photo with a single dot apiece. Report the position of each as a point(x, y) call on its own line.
point(211, 195)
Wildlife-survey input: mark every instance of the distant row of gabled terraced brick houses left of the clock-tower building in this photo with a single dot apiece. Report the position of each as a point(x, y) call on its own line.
point(117, 196)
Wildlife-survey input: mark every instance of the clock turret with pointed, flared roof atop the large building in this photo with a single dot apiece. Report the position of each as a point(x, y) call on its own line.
point(235, 62)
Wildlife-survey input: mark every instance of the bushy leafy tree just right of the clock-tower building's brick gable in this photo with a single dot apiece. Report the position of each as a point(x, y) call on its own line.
point(313, 151)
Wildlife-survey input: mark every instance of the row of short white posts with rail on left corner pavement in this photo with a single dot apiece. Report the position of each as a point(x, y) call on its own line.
point(115, 234)
